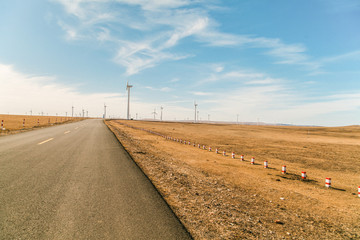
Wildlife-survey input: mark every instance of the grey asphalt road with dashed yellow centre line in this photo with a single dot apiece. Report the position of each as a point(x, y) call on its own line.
point(75, 181)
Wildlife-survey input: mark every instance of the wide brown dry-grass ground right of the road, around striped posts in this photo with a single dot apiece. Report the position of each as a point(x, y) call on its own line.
point(217, 197)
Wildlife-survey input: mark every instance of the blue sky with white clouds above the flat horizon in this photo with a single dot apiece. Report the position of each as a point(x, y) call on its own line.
point(291, 62)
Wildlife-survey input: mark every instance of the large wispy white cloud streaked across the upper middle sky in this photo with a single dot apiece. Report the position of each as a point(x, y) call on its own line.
point(163, 24)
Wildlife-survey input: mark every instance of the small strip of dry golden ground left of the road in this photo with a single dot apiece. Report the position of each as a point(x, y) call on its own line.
point(15, 123)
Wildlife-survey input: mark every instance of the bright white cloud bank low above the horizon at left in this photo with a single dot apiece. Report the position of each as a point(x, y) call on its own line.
point(24, 92)
